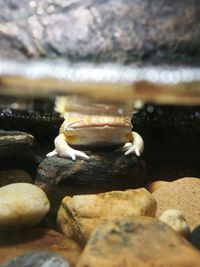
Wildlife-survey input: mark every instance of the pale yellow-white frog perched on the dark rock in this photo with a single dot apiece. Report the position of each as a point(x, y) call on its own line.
point(93, 125)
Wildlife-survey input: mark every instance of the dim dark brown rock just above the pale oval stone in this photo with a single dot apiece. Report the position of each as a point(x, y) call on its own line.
point(14, 176)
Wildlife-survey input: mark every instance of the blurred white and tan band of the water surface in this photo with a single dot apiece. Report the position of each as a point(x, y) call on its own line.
point(159, 84)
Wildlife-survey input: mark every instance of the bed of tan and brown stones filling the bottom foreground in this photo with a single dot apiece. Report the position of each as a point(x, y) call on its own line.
point(115, 227)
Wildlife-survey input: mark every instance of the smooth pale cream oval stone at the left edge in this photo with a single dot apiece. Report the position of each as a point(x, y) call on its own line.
point(22, 205)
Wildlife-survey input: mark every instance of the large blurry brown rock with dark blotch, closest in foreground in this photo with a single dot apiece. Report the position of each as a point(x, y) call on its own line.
point(138, 241)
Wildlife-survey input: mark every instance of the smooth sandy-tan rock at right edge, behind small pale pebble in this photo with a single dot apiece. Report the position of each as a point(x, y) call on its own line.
point(182, 194)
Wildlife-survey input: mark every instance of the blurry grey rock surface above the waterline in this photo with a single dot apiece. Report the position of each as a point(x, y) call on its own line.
point(122, 30)
